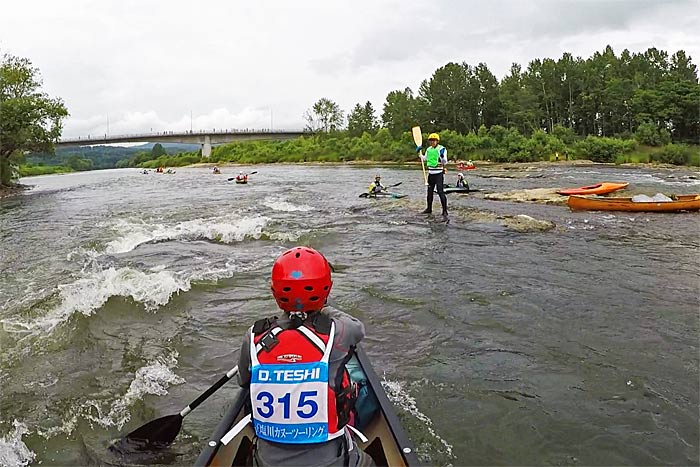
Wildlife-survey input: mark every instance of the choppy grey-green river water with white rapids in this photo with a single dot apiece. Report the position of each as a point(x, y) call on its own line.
point(123, 296)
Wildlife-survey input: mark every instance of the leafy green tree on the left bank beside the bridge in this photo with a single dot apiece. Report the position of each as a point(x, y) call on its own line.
point(30, 120)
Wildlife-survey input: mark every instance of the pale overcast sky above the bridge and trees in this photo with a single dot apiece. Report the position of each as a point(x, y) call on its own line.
point(130, 66)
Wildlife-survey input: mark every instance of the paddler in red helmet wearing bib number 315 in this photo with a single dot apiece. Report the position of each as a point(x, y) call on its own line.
point(301, 394)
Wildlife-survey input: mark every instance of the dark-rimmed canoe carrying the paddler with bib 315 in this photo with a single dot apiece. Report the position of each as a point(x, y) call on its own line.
point(386, 443)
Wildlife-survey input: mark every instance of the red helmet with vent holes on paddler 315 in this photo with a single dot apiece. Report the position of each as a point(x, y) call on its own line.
point(301, 280)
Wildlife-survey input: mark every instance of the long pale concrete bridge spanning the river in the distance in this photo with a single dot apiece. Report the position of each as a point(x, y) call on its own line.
point(205, 138)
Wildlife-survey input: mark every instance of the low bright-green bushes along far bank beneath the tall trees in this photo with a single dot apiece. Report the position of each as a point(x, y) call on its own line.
point(495, 144)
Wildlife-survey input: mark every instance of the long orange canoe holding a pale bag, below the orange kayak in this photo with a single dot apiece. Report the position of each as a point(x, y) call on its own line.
point(677, 203)
